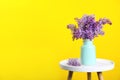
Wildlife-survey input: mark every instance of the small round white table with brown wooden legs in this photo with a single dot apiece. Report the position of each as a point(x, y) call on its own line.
point(101, 65)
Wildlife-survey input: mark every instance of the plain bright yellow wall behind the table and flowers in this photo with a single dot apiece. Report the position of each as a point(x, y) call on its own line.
point(34, 37)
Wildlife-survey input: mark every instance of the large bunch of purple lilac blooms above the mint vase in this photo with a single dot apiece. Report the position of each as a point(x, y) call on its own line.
point(88, 28)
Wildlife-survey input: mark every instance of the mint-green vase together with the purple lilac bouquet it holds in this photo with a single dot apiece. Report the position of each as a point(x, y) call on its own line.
point(88, 28)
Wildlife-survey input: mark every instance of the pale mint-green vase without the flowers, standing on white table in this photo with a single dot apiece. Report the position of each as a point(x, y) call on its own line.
point(88, 53)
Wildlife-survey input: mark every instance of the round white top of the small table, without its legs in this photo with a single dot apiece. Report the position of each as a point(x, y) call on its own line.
point(101, 65)
